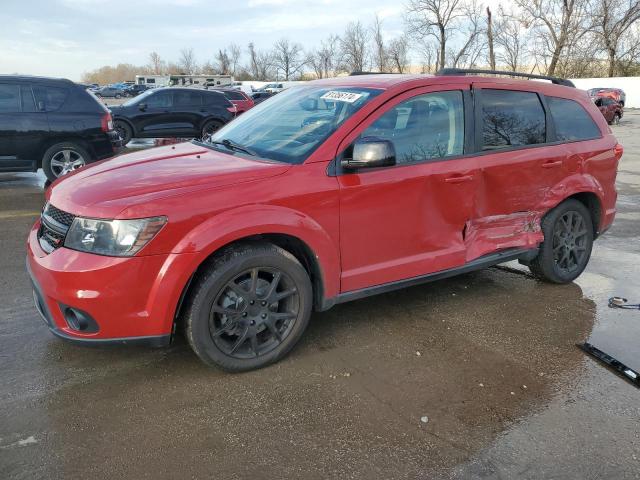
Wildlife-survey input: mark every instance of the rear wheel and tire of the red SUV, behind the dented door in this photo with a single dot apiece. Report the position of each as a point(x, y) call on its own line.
point(568, 240)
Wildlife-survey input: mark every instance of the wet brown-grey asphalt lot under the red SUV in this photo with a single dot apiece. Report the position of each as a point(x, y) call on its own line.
point(472, 377)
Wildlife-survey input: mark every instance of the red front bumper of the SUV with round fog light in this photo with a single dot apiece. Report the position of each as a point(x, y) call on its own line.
point(129, 300)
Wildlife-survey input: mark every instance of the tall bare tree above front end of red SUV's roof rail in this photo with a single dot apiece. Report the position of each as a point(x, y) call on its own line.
point(434, 18)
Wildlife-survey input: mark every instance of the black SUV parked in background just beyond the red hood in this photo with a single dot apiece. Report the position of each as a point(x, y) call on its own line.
point(172, 112)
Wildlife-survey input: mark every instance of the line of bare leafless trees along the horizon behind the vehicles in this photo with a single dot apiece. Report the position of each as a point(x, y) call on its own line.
point(568, 38)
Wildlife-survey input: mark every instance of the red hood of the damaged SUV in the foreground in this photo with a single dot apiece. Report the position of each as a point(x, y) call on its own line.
point(106, 188)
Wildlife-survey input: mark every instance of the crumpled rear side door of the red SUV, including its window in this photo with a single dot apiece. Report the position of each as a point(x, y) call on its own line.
point(517, 168)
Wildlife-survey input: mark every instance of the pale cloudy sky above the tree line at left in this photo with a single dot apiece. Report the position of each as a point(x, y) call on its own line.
point(66, 38)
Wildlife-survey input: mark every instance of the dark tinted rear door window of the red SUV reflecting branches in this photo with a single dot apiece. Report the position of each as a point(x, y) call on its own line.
point(511, 119)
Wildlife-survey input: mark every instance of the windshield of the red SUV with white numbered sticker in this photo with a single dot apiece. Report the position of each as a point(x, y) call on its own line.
point(290, 126)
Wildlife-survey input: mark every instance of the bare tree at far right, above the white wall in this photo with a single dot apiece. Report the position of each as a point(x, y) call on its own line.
point(612, 19)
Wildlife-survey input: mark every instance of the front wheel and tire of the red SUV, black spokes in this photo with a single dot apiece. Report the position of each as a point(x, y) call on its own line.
point(248, 308)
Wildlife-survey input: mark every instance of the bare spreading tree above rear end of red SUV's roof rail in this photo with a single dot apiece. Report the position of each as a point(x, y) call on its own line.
point(557, 24)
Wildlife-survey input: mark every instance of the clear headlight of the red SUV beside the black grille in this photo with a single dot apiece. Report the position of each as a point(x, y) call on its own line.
point(118, 238)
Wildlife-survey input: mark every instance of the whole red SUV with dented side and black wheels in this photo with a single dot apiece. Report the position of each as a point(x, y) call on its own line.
point(329, 192)
